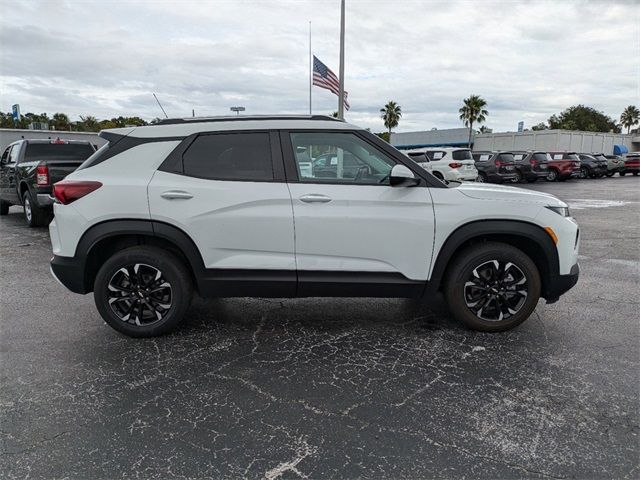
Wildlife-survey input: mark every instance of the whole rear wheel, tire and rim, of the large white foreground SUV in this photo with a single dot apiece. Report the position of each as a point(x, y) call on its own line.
point(141, 266)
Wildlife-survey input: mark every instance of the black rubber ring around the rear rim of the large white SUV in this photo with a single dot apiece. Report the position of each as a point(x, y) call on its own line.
point(173, 270)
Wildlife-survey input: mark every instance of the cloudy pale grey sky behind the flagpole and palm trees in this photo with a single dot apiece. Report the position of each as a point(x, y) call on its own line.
point(527, 59)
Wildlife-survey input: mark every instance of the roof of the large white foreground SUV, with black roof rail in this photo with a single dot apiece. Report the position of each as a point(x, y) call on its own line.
point(182, 127)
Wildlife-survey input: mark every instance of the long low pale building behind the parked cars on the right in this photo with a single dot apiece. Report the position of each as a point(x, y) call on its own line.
point(545, 140)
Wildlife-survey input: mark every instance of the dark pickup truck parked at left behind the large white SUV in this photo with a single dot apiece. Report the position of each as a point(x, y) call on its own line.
point(29, 168)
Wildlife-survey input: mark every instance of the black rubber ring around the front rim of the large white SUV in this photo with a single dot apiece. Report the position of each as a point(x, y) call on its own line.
point(471, 258)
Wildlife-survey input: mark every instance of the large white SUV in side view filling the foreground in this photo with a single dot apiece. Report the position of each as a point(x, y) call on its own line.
point(234, 207)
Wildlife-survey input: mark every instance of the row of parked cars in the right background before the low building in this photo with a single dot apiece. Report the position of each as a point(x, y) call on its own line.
point(460, 164)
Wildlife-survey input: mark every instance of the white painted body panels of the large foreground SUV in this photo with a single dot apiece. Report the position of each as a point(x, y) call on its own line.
point(265, 225)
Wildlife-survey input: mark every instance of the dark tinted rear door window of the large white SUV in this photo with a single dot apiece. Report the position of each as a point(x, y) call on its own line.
point(230, 156)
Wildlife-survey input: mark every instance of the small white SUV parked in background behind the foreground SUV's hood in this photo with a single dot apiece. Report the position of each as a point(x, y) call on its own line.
point(446, 163)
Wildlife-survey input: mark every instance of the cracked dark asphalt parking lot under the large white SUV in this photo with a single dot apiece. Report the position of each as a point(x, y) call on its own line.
point(329, 388)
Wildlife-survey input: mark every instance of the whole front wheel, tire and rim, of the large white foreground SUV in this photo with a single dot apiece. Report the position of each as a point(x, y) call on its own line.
point(461, 293)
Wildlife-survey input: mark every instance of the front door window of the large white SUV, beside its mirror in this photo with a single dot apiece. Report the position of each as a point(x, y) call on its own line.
point(330, 157)
